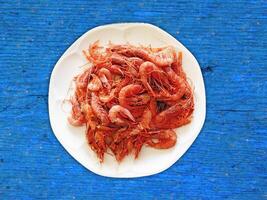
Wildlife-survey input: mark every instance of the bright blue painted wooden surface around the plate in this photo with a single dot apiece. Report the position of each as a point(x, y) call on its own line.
point(227, 161)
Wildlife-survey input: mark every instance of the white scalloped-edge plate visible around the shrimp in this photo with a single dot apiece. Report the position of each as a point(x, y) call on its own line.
point(150, 161)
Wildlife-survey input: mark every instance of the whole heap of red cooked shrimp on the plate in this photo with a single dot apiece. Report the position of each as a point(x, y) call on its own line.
point(131, 96)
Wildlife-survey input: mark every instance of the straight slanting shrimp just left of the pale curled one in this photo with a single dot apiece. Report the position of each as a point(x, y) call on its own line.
point(99, 111)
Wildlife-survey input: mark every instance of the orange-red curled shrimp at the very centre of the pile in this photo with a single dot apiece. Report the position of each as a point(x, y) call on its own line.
point(131, 96)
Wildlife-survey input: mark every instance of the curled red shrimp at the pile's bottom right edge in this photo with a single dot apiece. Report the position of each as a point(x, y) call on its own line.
point(165, 139)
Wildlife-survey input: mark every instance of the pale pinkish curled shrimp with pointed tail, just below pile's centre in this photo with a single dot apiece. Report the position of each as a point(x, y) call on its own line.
point(120, 116)
